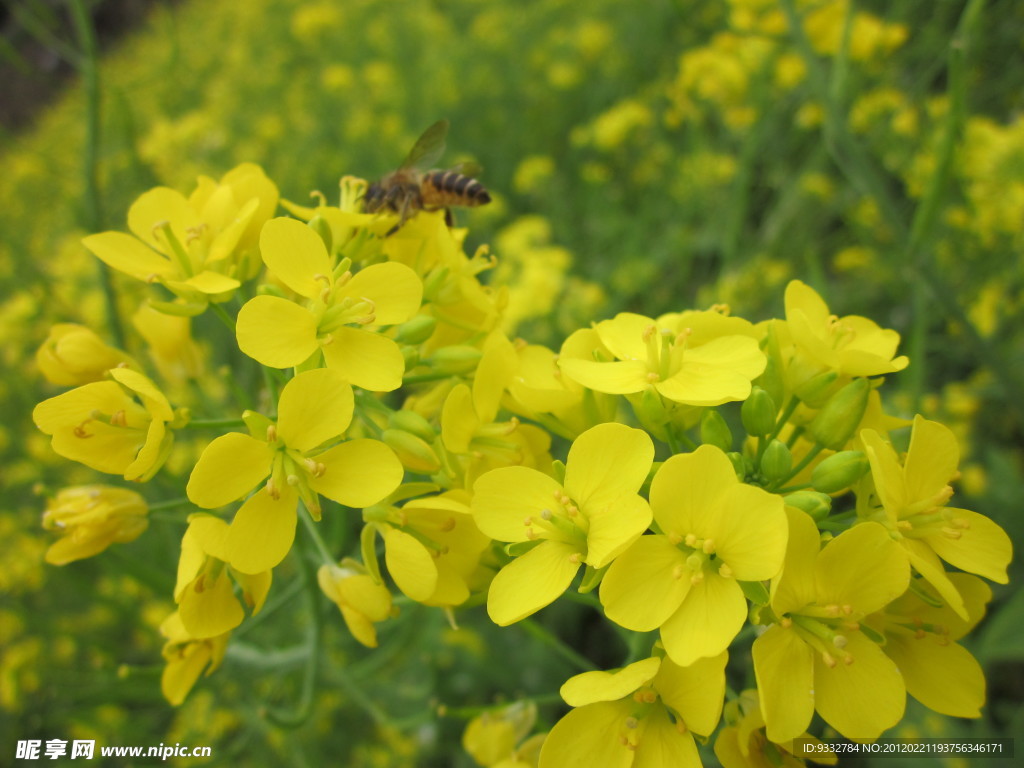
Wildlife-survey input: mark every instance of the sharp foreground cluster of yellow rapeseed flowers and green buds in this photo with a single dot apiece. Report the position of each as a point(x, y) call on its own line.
point(718, 476)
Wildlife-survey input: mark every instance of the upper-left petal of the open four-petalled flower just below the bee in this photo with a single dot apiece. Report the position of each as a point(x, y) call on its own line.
point(296, 255)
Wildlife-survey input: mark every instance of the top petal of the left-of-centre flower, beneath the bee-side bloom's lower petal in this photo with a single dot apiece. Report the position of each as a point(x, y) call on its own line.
point(315, 407)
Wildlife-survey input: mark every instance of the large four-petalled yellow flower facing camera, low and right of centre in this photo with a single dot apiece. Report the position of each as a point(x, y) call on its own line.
point(685, 581)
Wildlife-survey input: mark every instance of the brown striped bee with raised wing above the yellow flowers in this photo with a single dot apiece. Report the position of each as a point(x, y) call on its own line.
point(413, 189)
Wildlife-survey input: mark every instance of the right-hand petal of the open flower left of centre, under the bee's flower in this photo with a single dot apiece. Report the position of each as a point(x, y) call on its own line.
point(358, 474)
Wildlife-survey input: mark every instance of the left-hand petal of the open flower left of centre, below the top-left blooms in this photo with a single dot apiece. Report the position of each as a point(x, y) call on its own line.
point(228, 470)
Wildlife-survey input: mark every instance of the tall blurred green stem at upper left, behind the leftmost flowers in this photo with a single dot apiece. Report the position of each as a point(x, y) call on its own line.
point(90, 70)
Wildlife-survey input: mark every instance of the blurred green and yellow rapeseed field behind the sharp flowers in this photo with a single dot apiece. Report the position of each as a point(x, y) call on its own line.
point(652, 157)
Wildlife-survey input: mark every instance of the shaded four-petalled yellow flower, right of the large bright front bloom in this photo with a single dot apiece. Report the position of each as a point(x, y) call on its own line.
point(818, 657)
